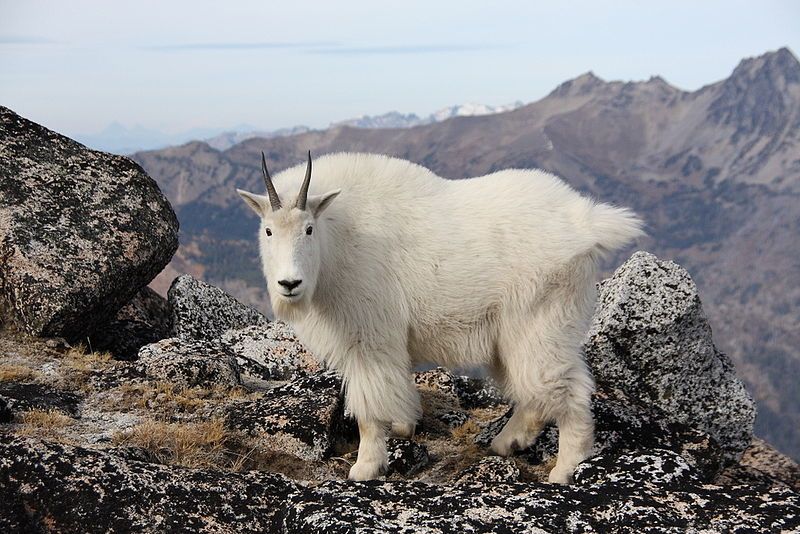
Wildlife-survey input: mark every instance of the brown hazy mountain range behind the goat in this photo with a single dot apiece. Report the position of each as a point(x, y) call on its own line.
point(714, 172)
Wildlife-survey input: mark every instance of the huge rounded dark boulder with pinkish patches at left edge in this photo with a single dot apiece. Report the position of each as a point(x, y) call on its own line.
point(80, 231)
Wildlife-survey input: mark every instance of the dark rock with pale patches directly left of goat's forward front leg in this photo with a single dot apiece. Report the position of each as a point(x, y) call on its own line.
point(304, 418)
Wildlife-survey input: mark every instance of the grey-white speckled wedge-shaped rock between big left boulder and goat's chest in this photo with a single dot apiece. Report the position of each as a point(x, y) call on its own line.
point(202, 311)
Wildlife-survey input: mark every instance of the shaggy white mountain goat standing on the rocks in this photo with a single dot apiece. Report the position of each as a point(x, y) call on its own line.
point(405, 267)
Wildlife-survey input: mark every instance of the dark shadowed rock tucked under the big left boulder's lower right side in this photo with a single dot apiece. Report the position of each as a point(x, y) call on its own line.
point(144, 320)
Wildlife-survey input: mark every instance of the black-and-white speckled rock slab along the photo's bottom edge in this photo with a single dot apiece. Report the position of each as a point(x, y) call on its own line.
point(82, 490)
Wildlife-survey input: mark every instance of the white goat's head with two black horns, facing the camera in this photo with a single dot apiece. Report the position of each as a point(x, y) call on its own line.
point(290, 238)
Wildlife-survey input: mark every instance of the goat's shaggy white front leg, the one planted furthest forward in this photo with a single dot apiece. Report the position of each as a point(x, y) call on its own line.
point(381, 395)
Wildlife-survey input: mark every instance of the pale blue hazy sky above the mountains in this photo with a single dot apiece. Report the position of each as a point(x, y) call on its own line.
point(76, 66)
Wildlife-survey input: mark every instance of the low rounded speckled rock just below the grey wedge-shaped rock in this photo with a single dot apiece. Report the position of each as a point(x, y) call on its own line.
point(189, 363)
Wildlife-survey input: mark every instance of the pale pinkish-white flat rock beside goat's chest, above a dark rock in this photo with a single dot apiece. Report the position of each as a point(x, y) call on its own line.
point(270, 352)
